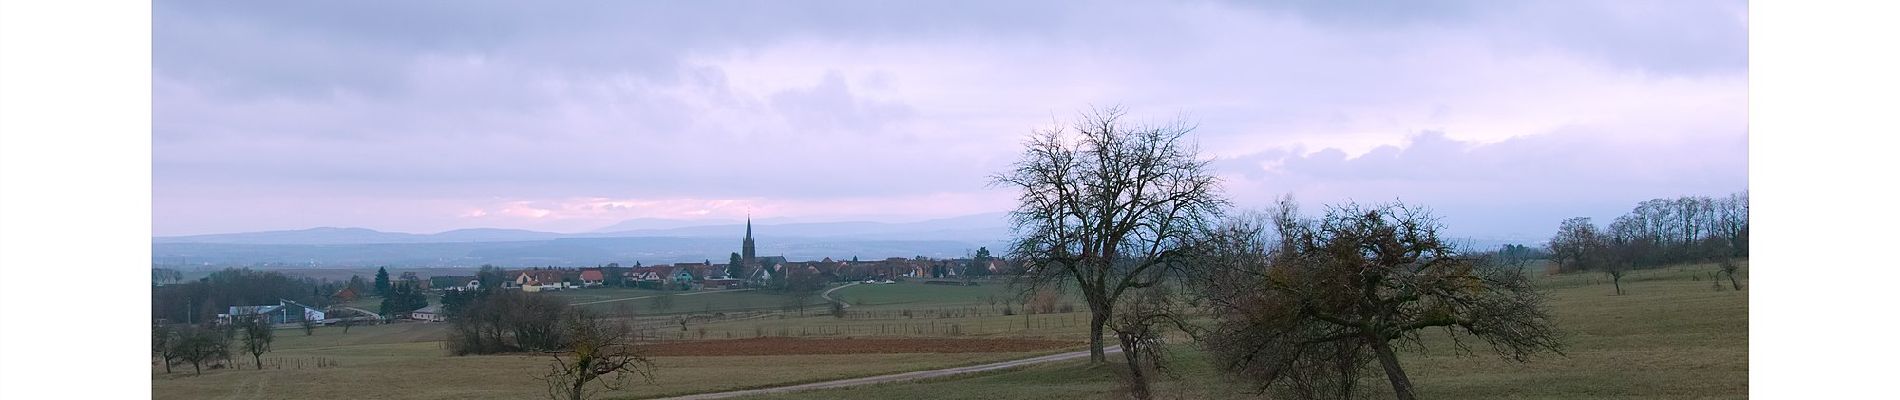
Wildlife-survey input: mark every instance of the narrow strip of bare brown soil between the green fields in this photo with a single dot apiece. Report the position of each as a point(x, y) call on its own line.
point(848, 346)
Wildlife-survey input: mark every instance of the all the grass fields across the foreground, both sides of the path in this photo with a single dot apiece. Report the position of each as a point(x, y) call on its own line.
point(1671, 336)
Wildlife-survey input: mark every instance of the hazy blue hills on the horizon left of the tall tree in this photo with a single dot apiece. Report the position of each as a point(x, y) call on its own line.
point(354, 247)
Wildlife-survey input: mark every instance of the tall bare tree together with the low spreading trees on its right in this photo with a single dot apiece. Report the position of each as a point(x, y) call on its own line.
point(1133, 219)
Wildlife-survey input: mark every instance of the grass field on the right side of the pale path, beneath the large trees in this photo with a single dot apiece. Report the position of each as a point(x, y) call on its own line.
point(1671, 336)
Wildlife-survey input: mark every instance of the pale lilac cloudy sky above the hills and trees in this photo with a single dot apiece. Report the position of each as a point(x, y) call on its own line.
point(432, 117)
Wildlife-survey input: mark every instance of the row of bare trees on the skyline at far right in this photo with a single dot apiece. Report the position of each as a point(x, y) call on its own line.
point(1656, 234)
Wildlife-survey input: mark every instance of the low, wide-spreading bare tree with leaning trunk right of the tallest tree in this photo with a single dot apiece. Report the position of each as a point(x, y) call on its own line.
point(1310, 312)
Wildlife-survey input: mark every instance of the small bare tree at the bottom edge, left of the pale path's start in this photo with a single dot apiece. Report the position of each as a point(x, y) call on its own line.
point(598, 348)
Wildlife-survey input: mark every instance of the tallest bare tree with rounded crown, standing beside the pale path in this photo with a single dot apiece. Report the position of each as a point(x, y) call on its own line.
point(1107, 208)
